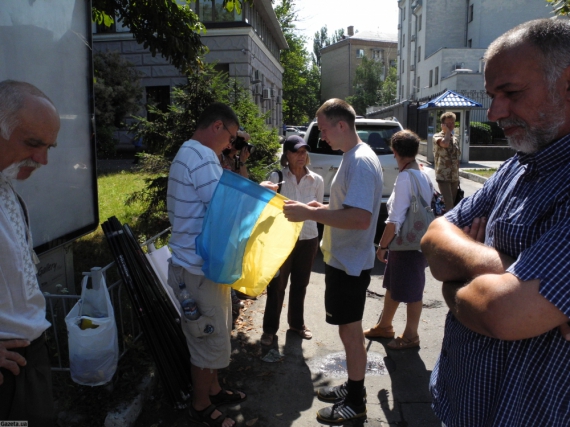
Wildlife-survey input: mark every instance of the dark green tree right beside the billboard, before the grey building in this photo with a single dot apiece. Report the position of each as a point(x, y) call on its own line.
point(117, 93)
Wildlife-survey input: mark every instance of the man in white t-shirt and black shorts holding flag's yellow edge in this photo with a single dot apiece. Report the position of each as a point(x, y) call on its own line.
point(348, 249)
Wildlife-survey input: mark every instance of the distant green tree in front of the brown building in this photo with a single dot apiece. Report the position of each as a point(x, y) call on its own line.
point(367, 85)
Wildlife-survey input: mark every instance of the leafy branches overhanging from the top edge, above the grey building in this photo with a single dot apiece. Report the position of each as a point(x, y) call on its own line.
point(162, 26)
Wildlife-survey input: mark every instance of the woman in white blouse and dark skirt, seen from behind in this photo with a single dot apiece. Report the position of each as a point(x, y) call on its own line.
point(404, 277)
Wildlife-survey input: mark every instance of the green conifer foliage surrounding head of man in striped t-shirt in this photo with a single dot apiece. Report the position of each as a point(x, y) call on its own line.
point(167, 132)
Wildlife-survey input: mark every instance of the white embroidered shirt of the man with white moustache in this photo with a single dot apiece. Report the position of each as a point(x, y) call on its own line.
point(22, 304)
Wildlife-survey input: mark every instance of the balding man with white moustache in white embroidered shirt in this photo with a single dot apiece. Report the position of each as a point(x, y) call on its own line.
point(29, 124)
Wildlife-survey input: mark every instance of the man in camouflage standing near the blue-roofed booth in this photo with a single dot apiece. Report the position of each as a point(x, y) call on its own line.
point(446, 159)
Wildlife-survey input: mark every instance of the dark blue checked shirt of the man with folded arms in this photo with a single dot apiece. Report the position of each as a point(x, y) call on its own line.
point(482, 381)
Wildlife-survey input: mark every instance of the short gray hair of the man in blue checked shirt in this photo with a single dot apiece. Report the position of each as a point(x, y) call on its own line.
point(551, 37)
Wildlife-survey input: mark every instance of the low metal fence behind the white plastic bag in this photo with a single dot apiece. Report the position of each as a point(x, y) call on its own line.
point(59, 305)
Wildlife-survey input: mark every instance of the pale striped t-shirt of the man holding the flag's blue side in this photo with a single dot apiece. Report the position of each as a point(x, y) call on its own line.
point(194, 175)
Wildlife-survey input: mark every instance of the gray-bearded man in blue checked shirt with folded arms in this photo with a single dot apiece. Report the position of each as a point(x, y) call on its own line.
point(502, 254)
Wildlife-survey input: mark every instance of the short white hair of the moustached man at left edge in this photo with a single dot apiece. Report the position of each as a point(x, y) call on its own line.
point(12, 96)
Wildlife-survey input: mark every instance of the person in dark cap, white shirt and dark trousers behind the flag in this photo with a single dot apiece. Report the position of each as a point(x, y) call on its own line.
point(296, 182)
